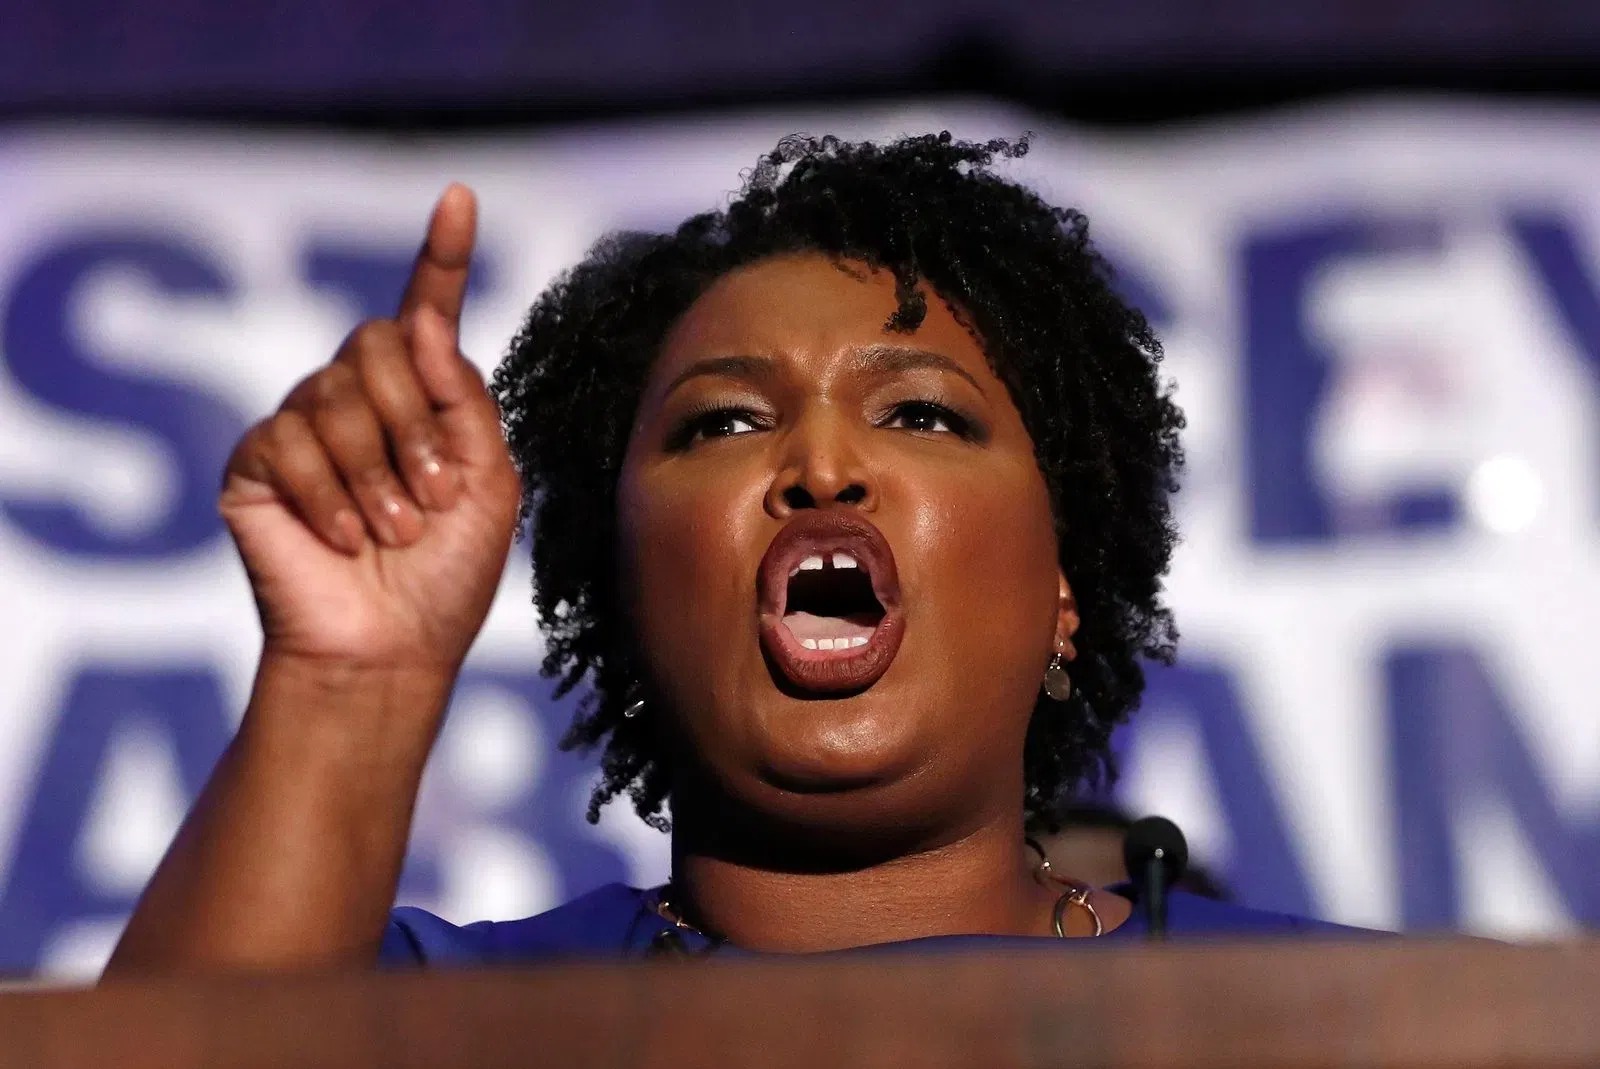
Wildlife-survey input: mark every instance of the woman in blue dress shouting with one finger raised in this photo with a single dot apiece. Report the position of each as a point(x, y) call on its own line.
point(850, 503)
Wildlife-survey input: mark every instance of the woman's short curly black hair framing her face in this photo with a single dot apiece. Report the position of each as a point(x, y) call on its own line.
point(1081, 364)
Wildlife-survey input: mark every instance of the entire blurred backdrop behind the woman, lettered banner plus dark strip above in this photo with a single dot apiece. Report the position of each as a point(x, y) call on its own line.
point(1369, 234)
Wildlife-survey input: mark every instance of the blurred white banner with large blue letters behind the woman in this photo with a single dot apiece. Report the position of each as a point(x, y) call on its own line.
point(1385, 326)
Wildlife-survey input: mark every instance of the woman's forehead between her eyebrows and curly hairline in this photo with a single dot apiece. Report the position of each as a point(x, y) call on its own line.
point(809, 306)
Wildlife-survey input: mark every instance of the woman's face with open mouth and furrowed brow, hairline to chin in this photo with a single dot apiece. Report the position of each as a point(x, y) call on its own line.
point(841, 558)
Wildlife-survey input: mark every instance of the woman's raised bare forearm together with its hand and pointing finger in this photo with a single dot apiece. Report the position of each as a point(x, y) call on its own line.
point(374, 514)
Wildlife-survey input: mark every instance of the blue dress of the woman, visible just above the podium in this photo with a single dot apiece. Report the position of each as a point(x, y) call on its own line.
point(622, 923)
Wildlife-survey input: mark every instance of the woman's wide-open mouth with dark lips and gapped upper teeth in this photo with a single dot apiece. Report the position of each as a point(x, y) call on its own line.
point(830, 603)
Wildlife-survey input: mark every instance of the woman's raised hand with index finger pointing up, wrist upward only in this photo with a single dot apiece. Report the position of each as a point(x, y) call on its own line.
point(375, 510)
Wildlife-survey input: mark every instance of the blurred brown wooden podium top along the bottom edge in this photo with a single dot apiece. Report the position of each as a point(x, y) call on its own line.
point(1383, 1003)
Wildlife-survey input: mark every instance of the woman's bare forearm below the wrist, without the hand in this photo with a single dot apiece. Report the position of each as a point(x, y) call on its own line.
point(292, 854)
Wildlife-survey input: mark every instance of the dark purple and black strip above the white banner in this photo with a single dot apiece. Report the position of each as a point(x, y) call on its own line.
point(502, 60)
